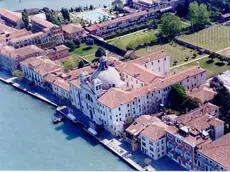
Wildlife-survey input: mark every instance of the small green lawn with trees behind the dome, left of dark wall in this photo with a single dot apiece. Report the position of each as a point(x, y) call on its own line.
point(84, 50)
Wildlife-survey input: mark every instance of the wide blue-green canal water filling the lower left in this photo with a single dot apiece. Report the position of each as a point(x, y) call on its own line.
point(30, 141)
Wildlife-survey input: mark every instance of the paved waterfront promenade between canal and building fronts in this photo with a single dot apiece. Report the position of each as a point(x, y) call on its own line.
point(115, 145)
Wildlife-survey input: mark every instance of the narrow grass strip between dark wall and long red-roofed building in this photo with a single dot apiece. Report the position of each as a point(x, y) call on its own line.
point(123, 41)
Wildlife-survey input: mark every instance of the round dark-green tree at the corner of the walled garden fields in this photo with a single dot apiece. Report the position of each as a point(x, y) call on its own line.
point(170, 25)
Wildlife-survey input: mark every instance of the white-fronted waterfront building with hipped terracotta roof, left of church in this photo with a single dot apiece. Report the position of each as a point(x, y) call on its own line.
point(36, 68)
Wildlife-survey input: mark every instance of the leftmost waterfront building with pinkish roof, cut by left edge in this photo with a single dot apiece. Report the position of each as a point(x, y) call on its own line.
point(11, 57)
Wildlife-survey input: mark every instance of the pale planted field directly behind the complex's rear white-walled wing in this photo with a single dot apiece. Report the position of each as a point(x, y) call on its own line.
point(175, 51)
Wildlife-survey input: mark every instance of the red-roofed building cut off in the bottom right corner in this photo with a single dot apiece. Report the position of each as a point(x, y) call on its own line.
point(215, 156)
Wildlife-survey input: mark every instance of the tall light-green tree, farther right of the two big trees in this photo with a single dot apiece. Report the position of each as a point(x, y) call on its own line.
point(198, 14)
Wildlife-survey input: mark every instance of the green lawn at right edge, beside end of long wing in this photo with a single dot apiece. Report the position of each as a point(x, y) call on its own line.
point(212, 68)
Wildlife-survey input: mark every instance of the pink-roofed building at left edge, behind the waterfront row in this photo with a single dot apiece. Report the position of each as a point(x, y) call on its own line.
point(7, 33)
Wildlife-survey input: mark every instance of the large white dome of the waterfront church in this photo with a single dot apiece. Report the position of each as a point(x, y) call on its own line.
point(109, 77)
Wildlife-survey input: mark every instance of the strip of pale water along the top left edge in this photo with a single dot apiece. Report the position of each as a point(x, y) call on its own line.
point(54, 4)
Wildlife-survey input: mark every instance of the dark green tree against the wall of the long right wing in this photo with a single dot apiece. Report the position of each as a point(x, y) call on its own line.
point(177, 96)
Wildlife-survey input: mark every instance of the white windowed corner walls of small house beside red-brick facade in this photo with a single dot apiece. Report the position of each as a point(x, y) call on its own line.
point(154, 149)
